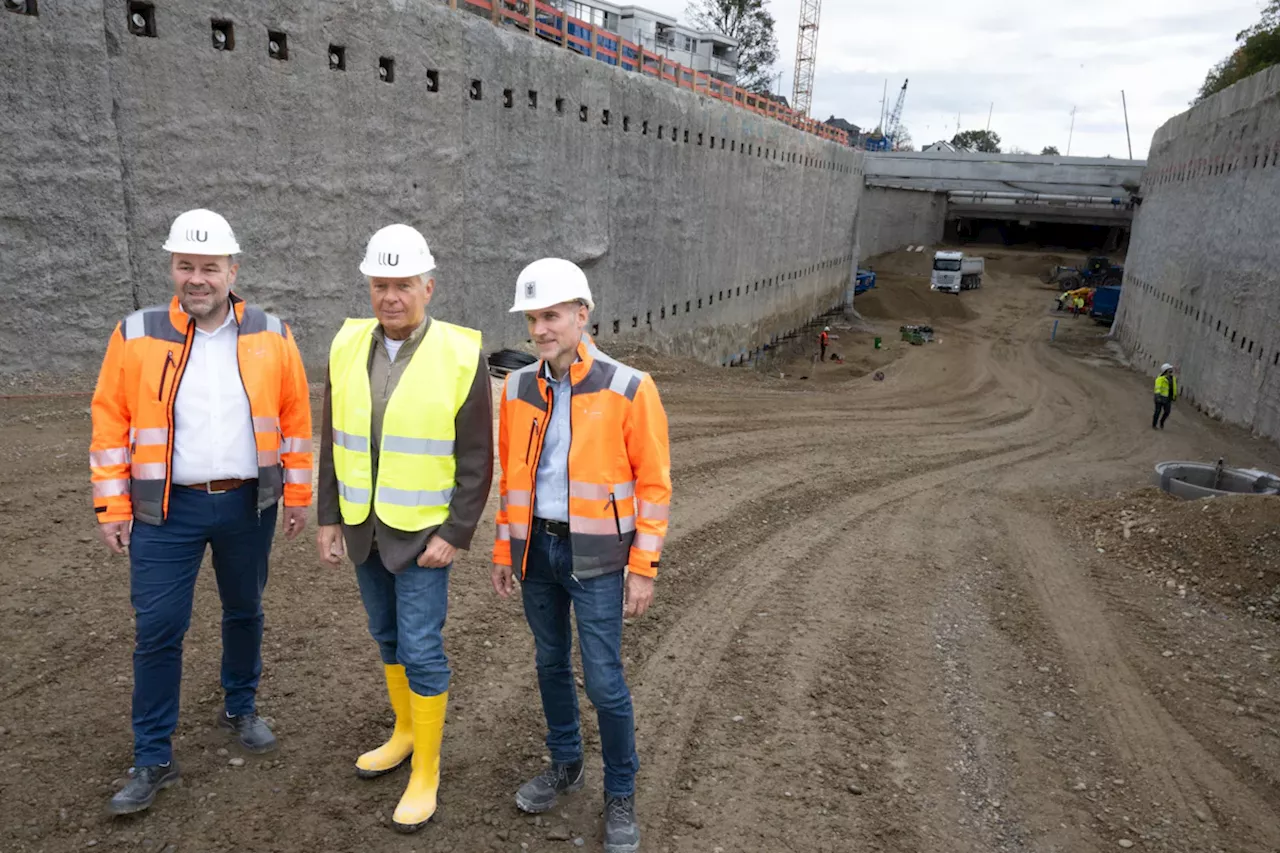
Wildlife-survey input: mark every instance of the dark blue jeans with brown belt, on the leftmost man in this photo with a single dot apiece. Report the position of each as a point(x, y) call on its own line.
point(164, 562)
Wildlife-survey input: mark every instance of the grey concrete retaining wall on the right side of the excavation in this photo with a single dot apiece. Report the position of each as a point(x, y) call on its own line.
point(1203, 280)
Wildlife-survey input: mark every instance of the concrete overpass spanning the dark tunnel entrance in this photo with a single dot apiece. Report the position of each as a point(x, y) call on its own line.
point(1018, 189)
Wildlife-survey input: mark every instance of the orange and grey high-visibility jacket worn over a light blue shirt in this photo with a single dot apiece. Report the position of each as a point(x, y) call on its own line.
point(619, 466)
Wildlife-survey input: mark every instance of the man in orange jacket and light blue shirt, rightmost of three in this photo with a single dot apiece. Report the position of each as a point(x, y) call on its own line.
point(584, 500)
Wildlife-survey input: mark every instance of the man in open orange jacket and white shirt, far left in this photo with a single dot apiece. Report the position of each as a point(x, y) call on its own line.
point(202, 425)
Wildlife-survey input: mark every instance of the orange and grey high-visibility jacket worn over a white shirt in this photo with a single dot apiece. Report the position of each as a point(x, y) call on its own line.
point(131, 457)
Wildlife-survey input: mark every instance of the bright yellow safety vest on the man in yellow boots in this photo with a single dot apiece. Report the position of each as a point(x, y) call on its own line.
point(417, 468)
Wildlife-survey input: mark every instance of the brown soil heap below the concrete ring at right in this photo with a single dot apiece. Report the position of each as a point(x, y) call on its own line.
point(1228, 549)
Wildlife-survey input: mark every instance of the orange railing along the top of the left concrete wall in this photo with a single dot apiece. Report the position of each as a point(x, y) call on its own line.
point(554, 25)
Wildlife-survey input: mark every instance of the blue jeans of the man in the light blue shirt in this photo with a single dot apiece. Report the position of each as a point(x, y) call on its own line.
point(548, 591)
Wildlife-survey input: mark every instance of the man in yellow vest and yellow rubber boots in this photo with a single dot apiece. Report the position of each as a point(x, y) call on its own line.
point(406, 462)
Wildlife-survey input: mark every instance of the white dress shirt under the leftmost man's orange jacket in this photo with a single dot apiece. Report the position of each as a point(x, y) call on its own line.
point(213, 437)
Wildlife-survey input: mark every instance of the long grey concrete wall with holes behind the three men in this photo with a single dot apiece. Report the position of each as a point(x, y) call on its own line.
point(705, 230)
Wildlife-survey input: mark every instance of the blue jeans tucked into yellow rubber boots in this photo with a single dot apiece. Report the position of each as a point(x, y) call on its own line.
point(406, 617)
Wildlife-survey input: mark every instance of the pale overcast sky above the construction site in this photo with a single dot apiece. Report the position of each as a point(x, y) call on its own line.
point(1035, 60)
